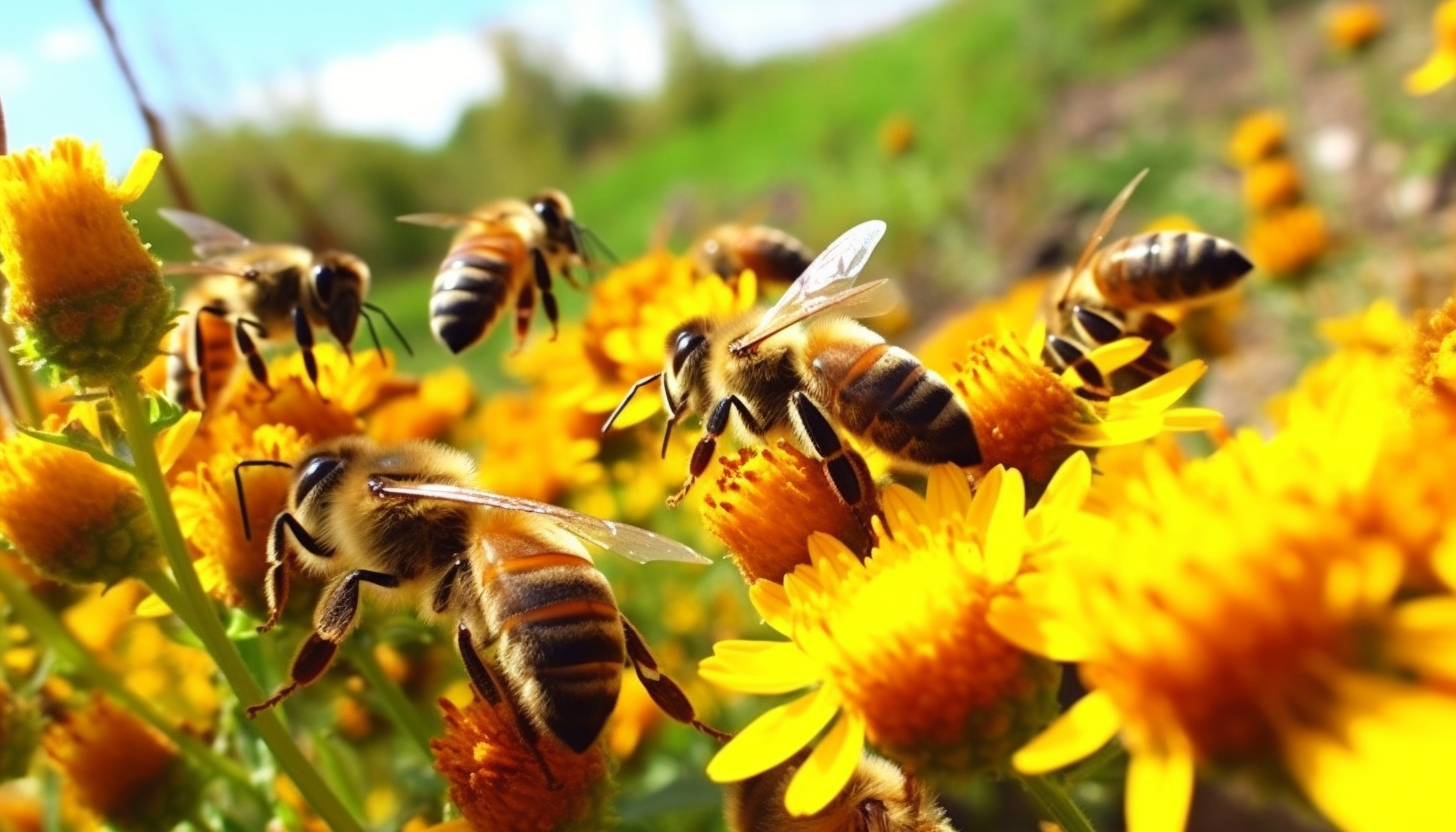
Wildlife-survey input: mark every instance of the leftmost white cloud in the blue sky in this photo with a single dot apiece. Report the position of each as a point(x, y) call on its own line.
point(413, 90)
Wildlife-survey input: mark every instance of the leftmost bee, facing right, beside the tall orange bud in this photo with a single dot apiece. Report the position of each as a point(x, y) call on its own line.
point(250, 294)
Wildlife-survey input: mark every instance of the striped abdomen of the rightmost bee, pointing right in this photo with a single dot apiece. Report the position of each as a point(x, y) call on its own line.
point(1166, 267)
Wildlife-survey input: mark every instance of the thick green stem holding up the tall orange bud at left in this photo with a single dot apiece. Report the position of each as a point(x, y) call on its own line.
point(205, 621)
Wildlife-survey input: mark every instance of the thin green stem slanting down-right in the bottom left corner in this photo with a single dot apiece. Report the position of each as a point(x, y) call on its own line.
point(52, 632)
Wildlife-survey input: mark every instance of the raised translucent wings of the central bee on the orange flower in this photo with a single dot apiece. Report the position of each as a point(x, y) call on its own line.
point(829, 283)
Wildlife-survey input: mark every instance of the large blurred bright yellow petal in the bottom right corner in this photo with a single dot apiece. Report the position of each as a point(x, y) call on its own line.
point(1391, 766)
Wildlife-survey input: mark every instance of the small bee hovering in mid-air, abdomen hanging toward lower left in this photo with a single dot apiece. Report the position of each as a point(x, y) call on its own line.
point(505, 250)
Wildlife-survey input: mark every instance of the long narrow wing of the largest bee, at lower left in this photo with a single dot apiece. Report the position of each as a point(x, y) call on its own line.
point(621, 538)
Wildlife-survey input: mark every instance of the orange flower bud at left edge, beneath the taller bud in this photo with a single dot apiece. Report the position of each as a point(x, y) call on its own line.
point(75, 519)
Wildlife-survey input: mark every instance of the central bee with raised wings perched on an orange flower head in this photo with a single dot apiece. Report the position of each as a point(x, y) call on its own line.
point(807, 382)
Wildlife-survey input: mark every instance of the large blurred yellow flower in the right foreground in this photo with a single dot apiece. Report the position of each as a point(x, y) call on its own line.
point(1256, 613)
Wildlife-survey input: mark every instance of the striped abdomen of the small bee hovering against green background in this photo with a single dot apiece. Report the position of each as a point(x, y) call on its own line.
point(475, 282)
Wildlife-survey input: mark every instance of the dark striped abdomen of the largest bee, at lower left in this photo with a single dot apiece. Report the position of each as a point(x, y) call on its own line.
point(561, 642)
